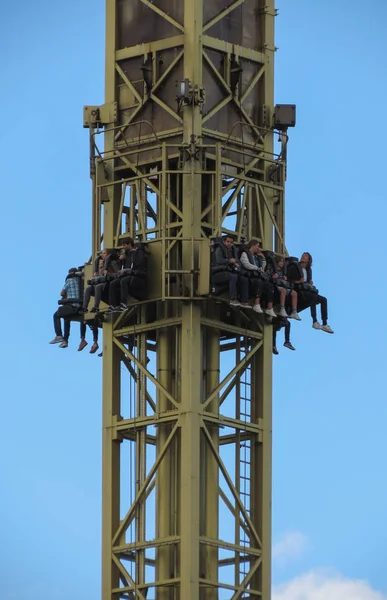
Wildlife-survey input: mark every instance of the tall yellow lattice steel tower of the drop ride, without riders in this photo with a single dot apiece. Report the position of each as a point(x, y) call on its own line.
point(182, 151)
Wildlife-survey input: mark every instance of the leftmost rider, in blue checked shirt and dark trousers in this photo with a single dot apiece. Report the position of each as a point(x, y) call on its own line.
point(71, 297)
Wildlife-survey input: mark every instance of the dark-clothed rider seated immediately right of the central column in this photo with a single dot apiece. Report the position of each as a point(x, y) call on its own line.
point(226, 257)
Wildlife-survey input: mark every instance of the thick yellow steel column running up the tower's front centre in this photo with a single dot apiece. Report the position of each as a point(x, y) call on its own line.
point(191, 335)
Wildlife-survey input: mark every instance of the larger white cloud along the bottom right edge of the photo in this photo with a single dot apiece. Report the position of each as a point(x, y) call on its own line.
point(324, 585)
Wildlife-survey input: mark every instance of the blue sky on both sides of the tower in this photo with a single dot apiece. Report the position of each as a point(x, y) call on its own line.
point(329, 484)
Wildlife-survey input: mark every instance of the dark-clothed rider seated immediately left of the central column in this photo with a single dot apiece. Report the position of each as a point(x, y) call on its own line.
point(131, 280)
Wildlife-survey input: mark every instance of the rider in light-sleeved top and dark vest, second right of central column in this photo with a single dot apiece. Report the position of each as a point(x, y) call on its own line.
point(254, 263)
